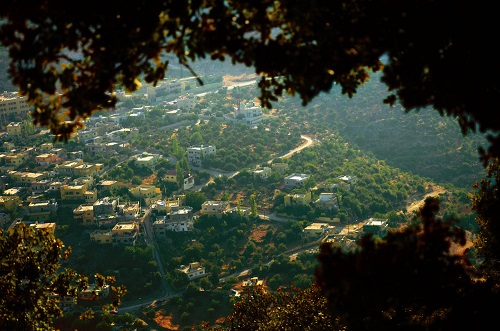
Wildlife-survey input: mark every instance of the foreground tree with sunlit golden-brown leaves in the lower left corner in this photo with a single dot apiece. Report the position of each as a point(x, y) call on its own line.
point(31, 282)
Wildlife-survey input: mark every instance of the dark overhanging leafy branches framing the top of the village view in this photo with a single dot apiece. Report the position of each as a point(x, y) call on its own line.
point(69, 59)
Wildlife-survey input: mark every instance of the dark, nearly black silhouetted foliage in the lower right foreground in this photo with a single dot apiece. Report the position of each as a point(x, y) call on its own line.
point(410, 280)
